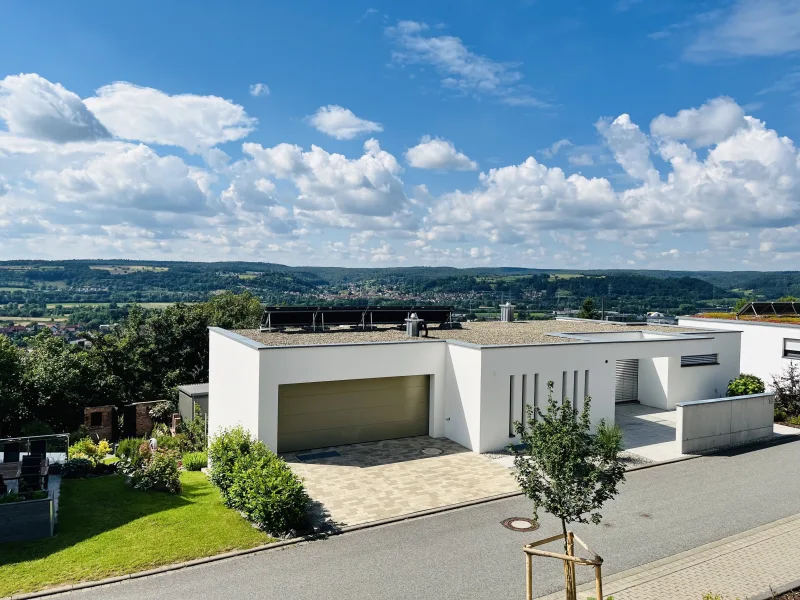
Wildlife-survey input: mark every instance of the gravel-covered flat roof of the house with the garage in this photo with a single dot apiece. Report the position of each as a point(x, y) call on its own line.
point(481, 333)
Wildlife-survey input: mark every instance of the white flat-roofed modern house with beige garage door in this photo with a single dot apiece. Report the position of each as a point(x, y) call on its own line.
point(307, 389)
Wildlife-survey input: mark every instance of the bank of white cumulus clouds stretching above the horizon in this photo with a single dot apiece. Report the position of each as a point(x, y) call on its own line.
point(77, 180)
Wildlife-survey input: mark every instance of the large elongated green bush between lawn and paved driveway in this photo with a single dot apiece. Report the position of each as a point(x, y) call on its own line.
point(257, 482)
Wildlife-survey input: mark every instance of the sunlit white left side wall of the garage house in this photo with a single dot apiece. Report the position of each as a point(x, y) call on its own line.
point(233, 383)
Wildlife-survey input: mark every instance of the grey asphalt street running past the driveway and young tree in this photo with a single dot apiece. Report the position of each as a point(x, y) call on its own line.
point(466, 553)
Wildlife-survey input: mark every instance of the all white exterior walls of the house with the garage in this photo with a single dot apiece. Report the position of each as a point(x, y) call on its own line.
point(470, 392)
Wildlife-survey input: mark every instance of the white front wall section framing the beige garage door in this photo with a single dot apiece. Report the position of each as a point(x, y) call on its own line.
point(306, 364)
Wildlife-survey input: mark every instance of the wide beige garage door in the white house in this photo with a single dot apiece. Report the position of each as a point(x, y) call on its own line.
point(330, 413)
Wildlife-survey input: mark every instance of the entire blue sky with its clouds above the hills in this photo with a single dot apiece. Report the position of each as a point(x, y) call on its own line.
point(619, 134)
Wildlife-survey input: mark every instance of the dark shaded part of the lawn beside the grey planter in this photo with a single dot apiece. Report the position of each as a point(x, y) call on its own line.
point(91, 507)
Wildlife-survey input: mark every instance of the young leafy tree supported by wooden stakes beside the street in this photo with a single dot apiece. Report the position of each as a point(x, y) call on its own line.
point(564, 468)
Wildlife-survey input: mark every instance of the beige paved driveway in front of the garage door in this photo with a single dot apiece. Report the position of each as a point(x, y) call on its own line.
point(378, 480)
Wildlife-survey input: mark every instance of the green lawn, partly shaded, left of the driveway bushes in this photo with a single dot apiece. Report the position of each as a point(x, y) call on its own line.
point(107, 528)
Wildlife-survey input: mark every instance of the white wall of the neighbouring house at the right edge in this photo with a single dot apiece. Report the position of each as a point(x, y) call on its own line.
point(761, 345)
